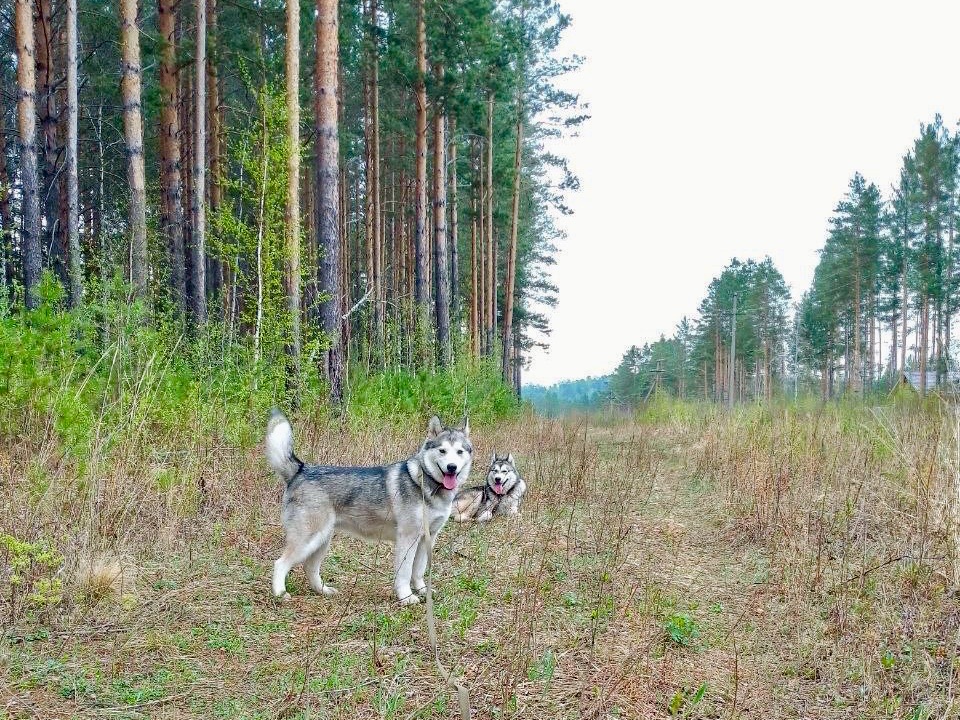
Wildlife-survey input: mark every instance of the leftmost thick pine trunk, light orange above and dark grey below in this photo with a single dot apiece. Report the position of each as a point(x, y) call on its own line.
point(27, 126)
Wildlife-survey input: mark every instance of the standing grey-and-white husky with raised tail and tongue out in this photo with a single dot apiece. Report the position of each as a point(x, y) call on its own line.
point(372, 503)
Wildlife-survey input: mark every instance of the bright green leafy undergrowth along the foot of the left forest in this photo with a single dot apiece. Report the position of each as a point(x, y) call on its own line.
point(102, 375)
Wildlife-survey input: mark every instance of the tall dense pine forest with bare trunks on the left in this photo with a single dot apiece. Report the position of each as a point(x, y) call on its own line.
point(351, 187)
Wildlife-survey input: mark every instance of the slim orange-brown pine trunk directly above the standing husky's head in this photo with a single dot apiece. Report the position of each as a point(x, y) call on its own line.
point(441, 268)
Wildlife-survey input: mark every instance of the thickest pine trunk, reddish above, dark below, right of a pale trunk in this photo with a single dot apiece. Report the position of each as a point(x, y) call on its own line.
point(328, 202)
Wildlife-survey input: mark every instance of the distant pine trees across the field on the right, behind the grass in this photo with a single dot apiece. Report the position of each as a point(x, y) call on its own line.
point(880, 306)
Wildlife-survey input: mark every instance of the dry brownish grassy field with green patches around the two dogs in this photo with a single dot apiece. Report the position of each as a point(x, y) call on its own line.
point(780, 563)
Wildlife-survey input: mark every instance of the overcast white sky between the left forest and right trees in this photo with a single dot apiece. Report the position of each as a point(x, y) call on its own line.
point(721, 130)
